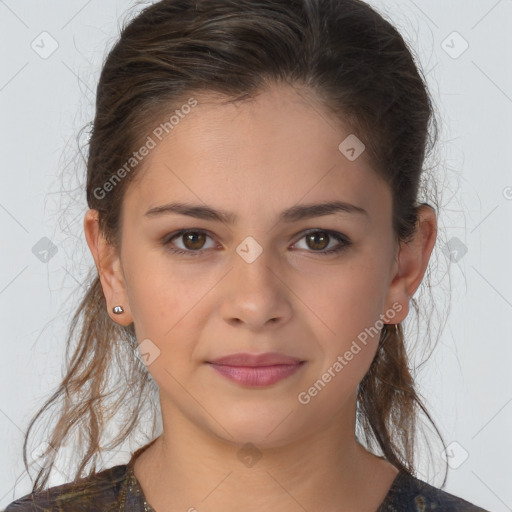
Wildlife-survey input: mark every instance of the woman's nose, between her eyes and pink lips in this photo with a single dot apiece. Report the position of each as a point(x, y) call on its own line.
point(255, 294)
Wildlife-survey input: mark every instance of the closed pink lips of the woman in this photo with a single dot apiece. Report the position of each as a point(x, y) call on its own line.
point(256, 369)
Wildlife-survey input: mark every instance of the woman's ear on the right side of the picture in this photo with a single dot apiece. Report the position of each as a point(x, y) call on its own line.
point(412, 261)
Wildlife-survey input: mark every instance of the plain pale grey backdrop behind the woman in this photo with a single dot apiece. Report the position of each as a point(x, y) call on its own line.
point(51, 58)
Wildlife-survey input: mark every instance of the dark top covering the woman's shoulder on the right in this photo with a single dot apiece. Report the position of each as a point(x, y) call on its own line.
point(411, 494)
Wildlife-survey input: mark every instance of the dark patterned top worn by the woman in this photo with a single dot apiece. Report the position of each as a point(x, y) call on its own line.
point(117, 490)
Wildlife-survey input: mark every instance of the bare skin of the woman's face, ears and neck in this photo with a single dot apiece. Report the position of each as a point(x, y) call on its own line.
point(255, 159)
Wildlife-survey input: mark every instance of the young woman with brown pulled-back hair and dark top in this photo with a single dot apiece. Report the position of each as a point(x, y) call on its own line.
point(253, 179)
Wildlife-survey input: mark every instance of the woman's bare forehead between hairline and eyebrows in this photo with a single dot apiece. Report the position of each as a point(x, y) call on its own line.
point(279, 148)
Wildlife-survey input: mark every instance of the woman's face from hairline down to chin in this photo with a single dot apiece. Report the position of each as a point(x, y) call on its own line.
point(269, 276)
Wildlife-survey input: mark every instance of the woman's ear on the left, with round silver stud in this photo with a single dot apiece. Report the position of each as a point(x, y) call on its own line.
point(109, 268)
